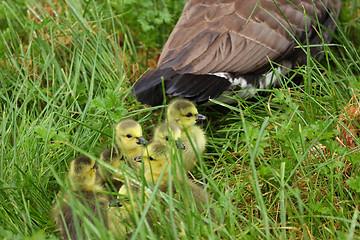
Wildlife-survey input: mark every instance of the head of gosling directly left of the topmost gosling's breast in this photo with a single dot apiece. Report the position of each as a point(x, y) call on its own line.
point(166, 132)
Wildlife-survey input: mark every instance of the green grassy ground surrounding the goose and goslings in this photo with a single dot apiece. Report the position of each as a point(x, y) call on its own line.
point(284, 165)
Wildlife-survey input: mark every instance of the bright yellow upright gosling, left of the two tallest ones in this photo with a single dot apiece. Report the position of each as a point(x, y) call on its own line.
point(129, 139)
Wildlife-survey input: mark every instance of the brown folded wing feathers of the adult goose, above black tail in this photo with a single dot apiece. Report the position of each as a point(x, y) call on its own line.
point(237, 35)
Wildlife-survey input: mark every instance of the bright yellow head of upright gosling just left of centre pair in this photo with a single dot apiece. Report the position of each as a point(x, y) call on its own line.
point(129, 134)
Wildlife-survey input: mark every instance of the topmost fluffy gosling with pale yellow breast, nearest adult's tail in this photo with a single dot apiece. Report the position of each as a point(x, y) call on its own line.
point(184, 113)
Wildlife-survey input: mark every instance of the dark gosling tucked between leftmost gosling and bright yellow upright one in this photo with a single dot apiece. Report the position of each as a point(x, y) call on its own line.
point(106, 178)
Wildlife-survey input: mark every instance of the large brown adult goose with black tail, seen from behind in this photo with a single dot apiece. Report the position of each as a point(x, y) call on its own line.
point(225, 45)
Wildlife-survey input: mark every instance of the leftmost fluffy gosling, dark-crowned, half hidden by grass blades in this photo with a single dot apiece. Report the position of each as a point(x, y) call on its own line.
point(84, 190)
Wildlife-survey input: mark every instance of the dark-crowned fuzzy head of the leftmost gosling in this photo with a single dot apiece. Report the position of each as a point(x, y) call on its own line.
point(82, 173)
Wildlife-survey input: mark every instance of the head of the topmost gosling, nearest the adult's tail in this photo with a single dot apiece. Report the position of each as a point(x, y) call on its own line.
point(183, 112)
